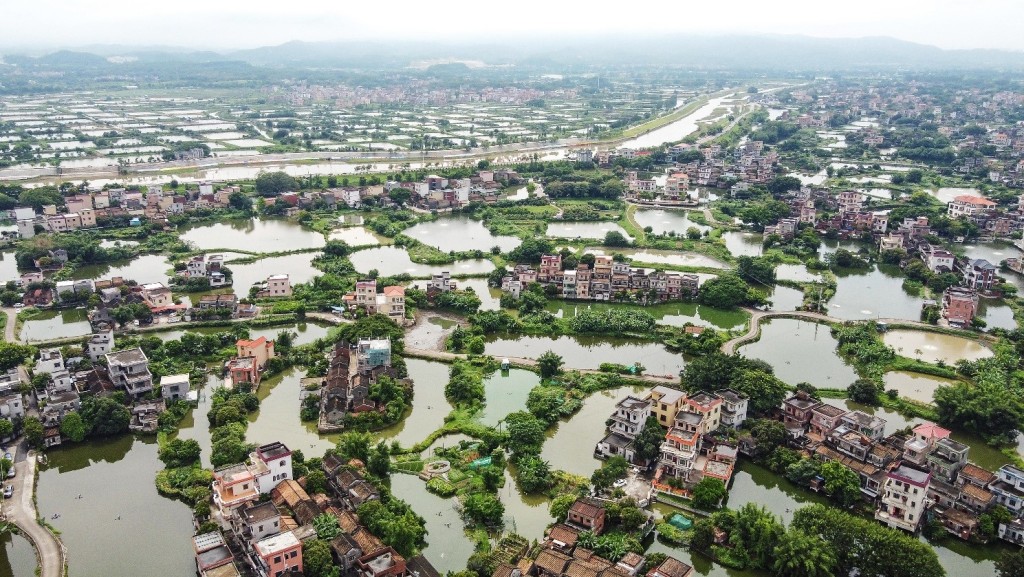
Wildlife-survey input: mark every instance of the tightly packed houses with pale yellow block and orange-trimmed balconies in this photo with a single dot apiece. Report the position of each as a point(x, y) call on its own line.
point(691, 451)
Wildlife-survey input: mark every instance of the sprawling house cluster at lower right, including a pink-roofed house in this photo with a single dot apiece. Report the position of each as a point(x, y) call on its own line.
point(911, 478)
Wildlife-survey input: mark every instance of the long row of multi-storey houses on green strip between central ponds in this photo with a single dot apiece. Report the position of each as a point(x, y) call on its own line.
point(607, 281)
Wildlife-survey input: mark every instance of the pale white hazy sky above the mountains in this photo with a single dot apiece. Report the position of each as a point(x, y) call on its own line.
point(231, 24)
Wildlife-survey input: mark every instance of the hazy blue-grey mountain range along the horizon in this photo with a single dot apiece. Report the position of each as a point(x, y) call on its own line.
point(743, 53)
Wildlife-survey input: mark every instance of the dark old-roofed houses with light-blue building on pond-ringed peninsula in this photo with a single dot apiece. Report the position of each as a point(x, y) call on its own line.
point(346, 389)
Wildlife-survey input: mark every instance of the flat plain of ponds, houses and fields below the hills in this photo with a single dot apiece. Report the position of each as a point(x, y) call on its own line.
point(546, 328)
